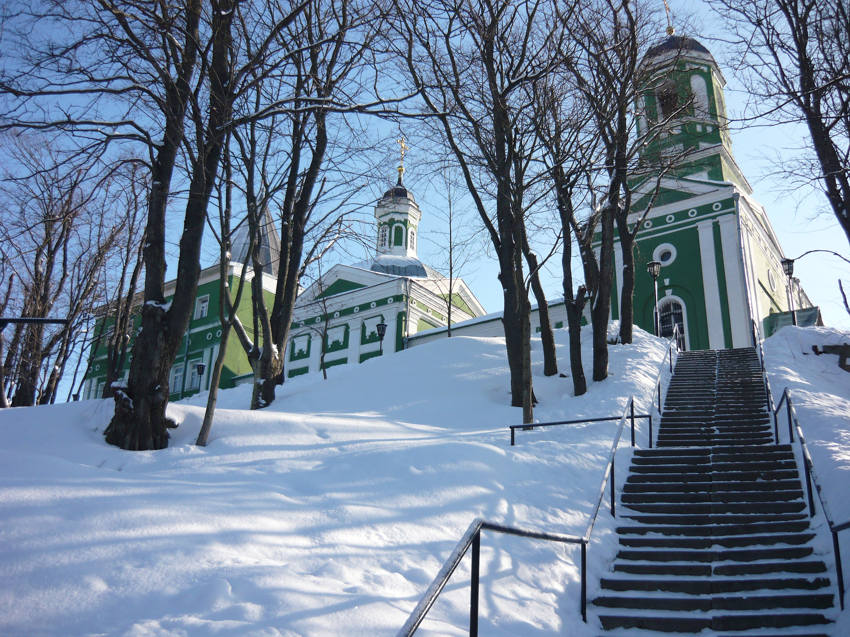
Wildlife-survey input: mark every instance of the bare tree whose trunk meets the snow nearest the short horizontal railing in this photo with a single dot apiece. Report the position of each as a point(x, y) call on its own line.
point(470, 61)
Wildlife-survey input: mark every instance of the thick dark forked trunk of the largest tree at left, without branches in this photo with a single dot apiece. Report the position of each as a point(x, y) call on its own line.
point(139, 422)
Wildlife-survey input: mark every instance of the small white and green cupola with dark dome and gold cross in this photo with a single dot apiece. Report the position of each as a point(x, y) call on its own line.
point(398, 216)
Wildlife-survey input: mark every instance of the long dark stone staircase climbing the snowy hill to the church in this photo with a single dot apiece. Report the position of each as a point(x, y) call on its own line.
point(714, 532)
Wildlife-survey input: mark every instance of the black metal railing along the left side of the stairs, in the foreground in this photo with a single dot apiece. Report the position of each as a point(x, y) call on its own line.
point(472, 538)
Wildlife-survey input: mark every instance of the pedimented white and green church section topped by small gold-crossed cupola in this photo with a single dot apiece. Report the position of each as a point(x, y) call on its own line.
point(339, 314)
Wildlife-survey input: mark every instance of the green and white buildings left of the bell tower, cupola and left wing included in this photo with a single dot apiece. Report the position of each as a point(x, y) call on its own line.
point(335, 320)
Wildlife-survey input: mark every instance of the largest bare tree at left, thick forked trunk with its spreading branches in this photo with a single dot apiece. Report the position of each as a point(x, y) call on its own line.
point(136, 72)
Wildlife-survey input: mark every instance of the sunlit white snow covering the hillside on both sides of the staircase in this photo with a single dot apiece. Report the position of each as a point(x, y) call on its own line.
point(330, 512)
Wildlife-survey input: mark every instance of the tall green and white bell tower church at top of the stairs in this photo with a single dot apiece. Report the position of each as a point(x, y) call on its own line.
point(720, 258)
